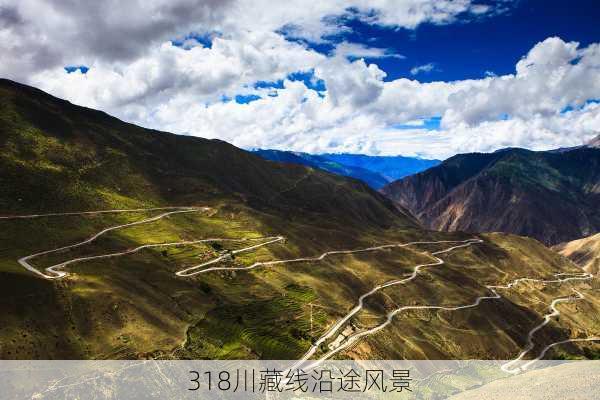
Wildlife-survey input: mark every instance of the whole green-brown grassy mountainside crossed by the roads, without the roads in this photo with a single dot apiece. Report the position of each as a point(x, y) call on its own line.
point(60, 157)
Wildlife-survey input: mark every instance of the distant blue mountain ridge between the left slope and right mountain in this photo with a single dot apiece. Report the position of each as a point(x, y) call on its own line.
point(373, 170)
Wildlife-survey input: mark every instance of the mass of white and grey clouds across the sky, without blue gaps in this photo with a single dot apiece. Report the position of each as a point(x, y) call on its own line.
point(136, 74)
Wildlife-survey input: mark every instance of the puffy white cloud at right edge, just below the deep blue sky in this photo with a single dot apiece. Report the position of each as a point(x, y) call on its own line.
point(553, 75)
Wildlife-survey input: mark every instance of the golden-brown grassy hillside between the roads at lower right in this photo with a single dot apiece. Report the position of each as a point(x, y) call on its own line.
point(482, 331)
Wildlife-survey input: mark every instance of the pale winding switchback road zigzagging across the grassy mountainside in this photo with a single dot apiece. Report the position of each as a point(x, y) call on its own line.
point(55, 272)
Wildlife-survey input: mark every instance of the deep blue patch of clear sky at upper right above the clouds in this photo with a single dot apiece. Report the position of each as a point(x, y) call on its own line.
point(474, 46)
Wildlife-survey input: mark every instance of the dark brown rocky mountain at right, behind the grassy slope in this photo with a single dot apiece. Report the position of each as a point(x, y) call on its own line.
point(551, 196)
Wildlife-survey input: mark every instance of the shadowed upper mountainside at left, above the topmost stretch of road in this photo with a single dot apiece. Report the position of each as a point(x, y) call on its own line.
point(58, 156)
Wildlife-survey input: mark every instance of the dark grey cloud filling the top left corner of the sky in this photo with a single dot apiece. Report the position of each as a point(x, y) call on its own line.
point(57, 33)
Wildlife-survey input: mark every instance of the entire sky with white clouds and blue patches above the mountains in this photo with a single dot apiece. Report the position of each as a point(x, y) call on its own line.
point(426, 78)
